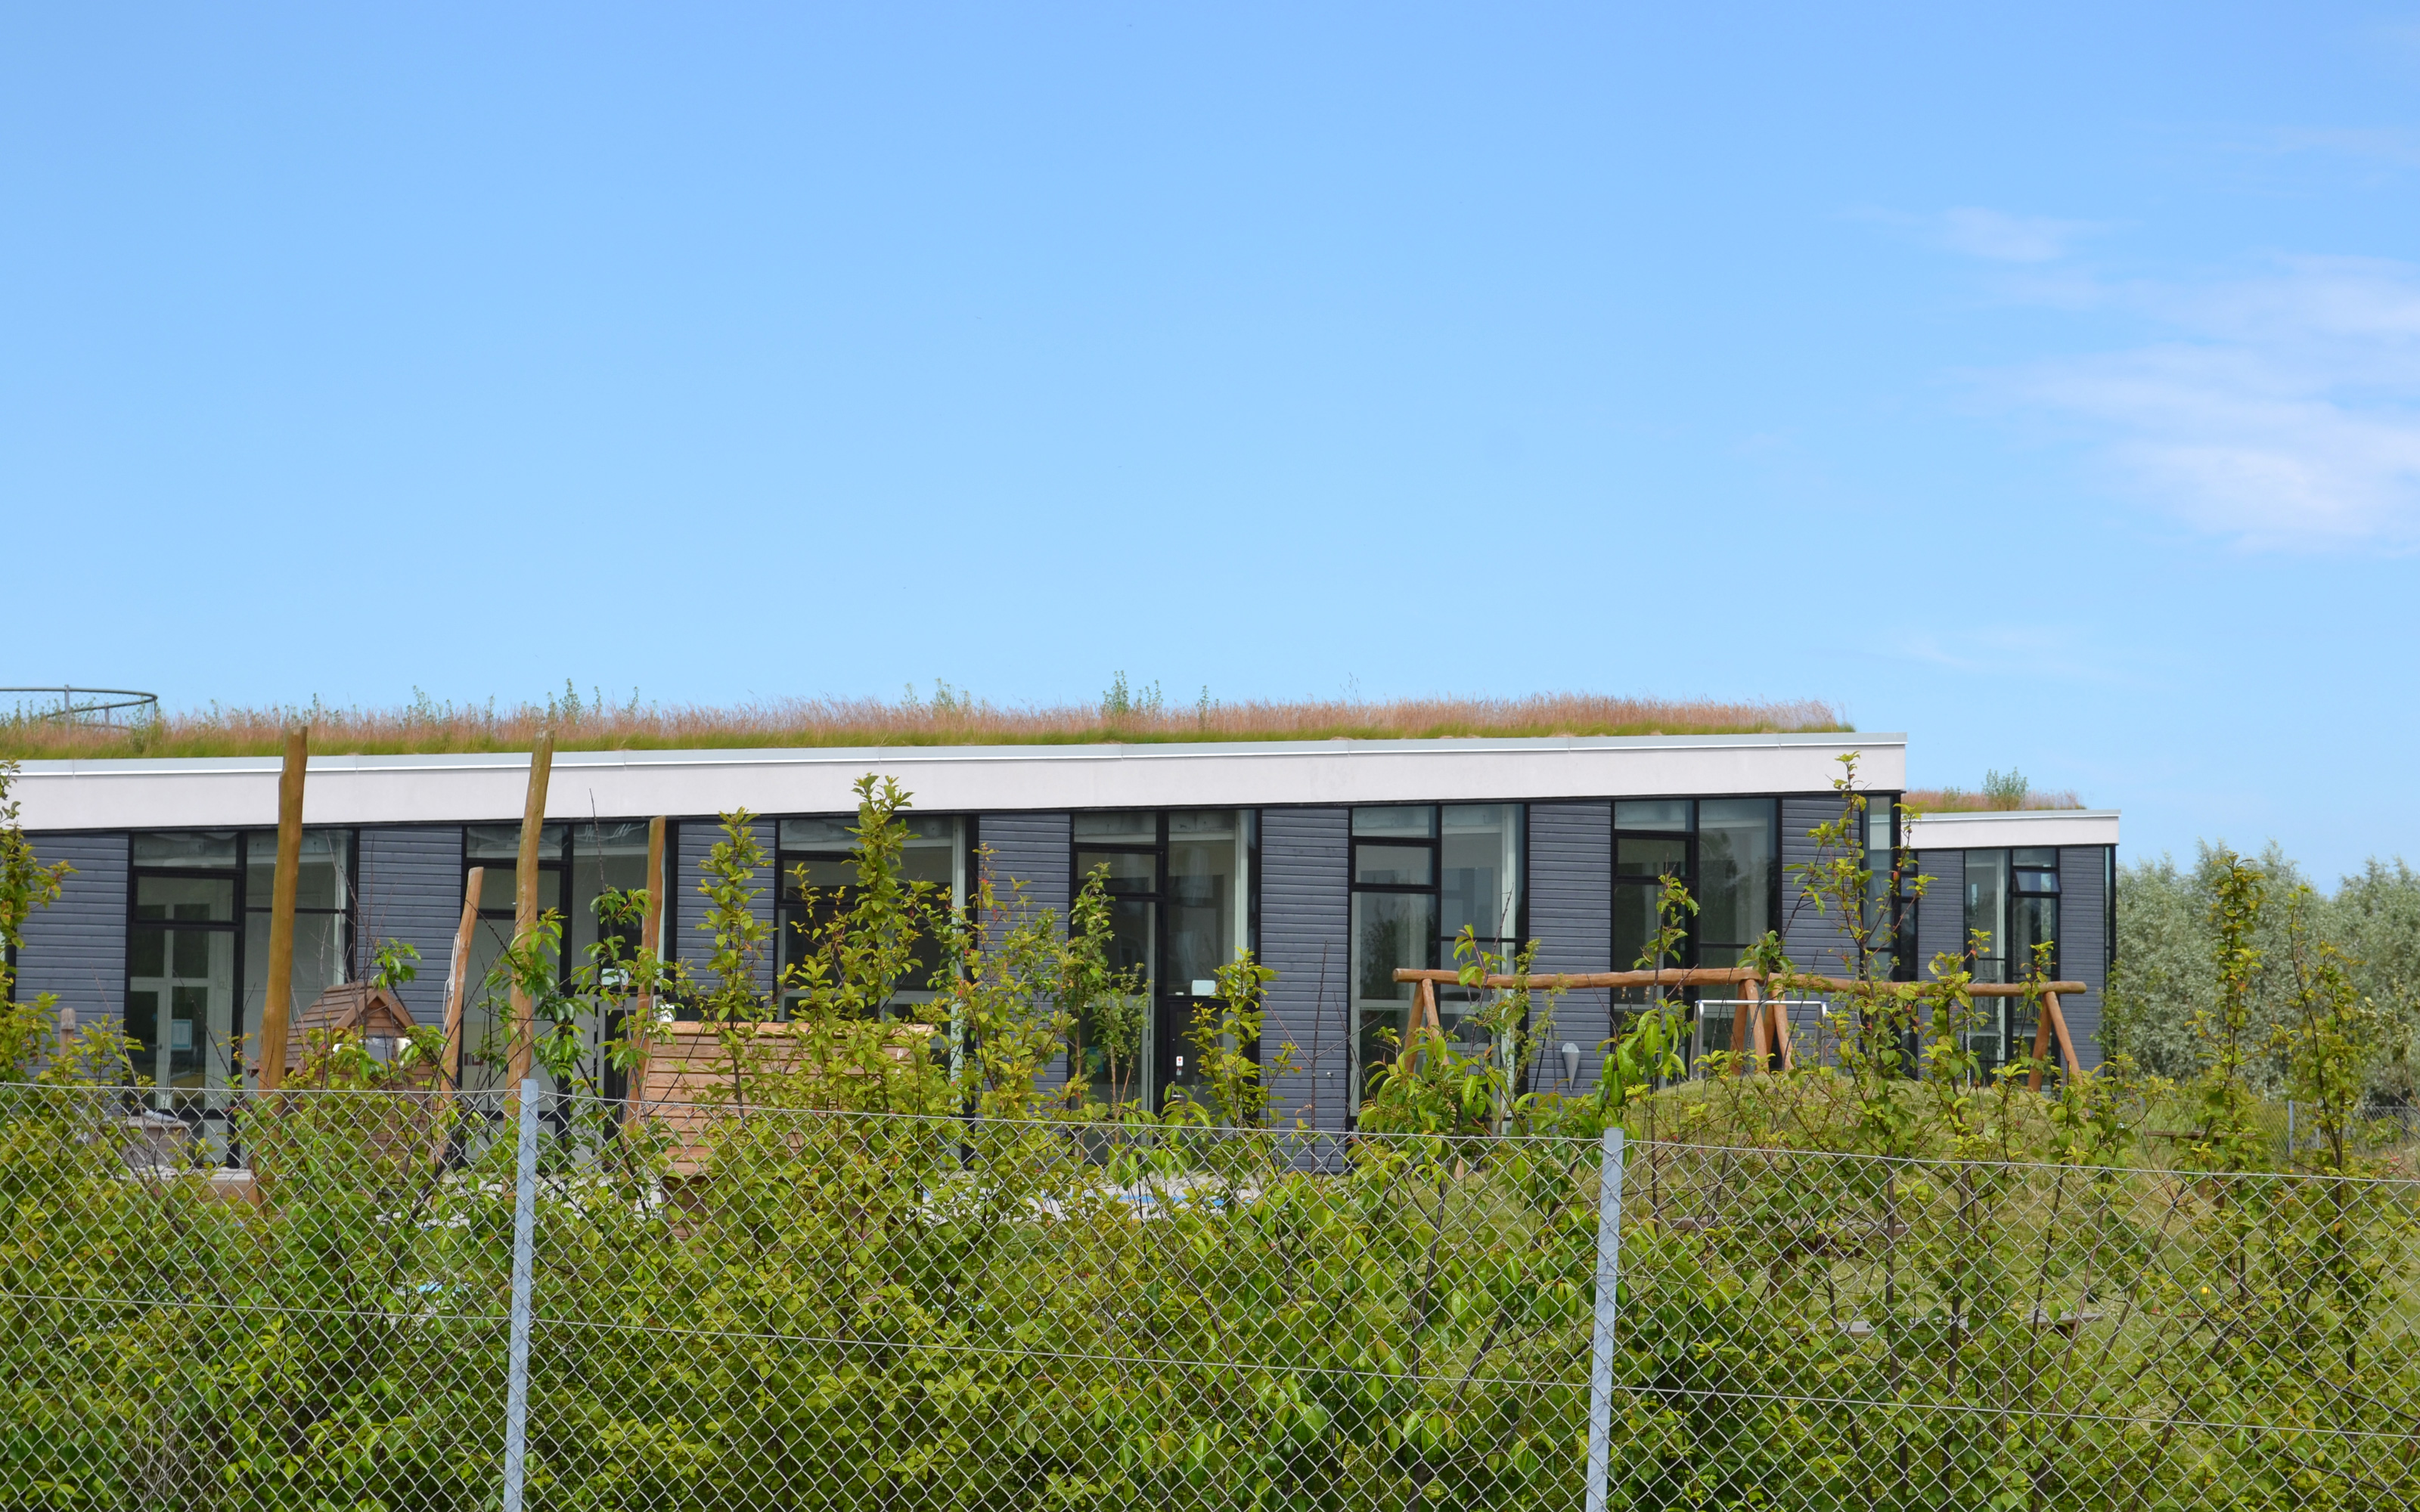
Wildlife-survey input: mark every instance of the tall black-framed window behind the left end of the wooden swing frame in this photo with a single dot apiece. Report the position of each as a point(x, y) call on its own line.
point(1419, 877)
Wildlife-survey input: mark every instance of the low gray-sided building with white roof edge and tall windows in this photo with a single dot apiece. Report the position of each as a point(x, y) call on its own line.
point(1335, 862)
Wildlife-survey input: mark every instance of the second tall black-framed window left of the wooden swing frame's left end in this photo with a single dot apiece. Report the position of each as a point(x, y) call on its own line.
point(1180, 889)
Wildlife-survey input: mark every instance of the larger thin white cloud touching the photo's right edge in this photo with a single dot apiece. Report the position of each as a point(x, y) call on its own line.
point(2283, 410)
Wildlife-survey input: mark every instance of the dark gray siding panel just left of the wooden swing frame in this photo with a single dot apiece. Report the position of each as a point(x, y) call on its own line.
point(1306, 918)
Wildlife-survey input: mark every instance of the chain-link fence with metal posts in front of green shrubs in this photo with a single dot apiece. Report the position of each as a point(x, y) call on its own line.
point(391, 1300)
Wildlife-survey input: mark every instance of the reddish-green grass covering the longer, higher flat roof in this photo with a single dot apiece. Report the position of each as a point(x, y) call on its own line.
point(947, 720)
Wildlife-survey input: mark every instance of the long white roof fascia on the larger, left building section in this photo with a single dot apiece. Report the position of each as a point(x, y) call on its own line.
point(231, 792)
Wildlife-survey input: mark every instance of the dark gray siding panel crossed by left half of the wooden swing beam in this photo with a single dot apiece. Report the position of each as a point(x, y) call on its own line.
point(1572, 918)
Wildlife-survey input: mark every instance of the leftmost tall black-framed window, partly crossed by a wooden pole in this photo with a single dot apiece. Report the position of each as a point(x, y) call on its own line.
point(197, 950)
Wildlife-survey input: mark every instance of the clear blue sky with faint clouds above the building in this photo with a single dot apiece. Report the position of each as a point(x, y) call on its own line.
point(2039, 381)
